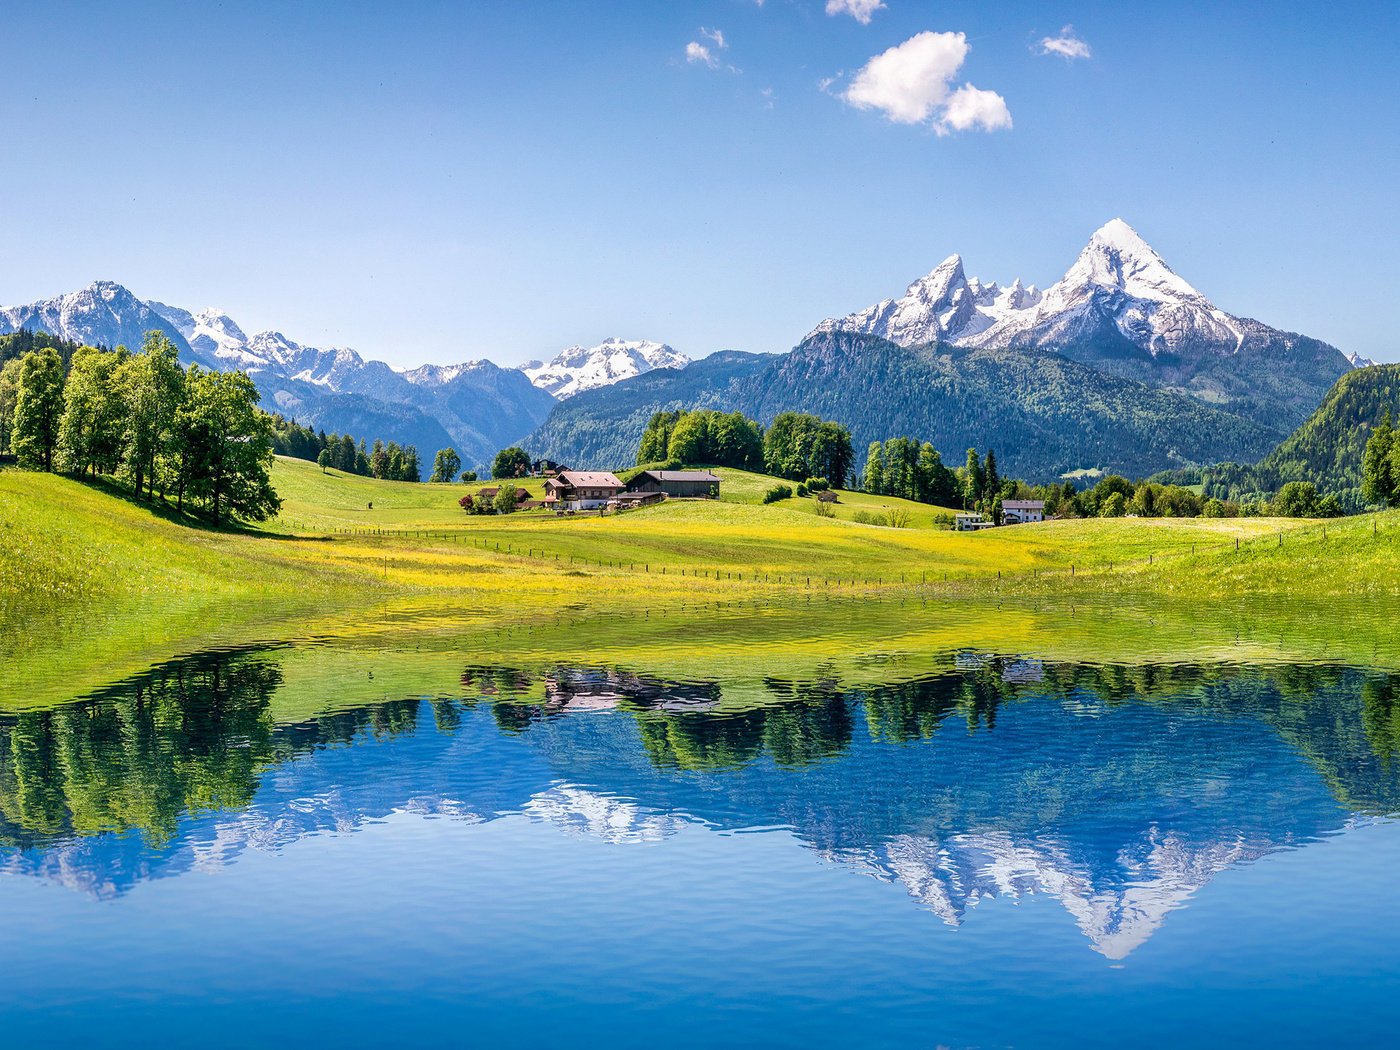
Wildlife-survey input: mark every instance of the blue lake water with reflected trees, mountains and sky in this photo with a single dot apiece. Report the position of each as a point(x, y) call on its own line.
point(1003, 853)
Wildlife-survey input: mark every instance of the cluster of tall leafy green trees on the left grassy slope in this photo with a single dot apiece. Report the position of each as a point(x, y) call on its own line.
point(192, 435)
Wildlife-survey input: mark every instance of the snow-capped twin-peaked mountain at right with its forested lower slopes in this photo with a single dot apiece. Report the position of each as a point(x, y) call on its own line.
point(1121, 366)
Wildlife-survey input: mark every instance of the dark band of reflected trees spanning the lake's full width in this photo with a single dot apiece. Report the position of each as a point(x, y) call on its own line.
point(195, 736)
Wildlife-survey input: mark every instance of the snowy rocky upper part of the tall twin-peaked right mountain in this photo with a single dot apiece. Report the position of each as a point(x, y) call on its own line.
point(1122, 310)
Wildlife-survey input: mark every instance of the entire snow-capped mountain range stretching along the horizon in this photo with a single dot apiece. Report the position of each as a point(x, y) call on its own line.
point(1119, 366)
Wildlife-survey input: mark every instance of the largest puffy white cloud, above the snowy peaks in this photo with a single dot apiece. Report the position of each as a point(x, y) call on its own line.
point(912, 83)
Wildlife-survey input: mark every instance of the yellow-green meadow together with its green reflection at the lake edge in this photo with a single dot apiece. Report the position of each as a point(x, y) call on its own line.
point(96, 586)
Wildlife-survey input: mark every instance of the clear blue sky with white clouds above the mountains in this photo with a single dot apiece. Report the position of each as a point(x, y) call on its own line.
point(453, 181)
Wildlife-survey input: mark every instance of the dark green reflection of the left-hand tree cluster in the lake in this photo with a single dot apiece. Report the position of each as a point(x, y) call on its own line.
point(191, 737)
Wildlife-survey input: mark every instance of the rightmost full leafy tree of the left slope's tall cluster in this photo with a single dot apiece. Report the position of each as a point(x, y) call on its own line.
point(226, 447)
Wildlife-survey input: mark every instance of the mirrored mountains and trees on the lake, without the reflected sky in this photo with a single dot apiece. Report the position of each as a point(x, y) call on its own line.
point(1118, 792)
